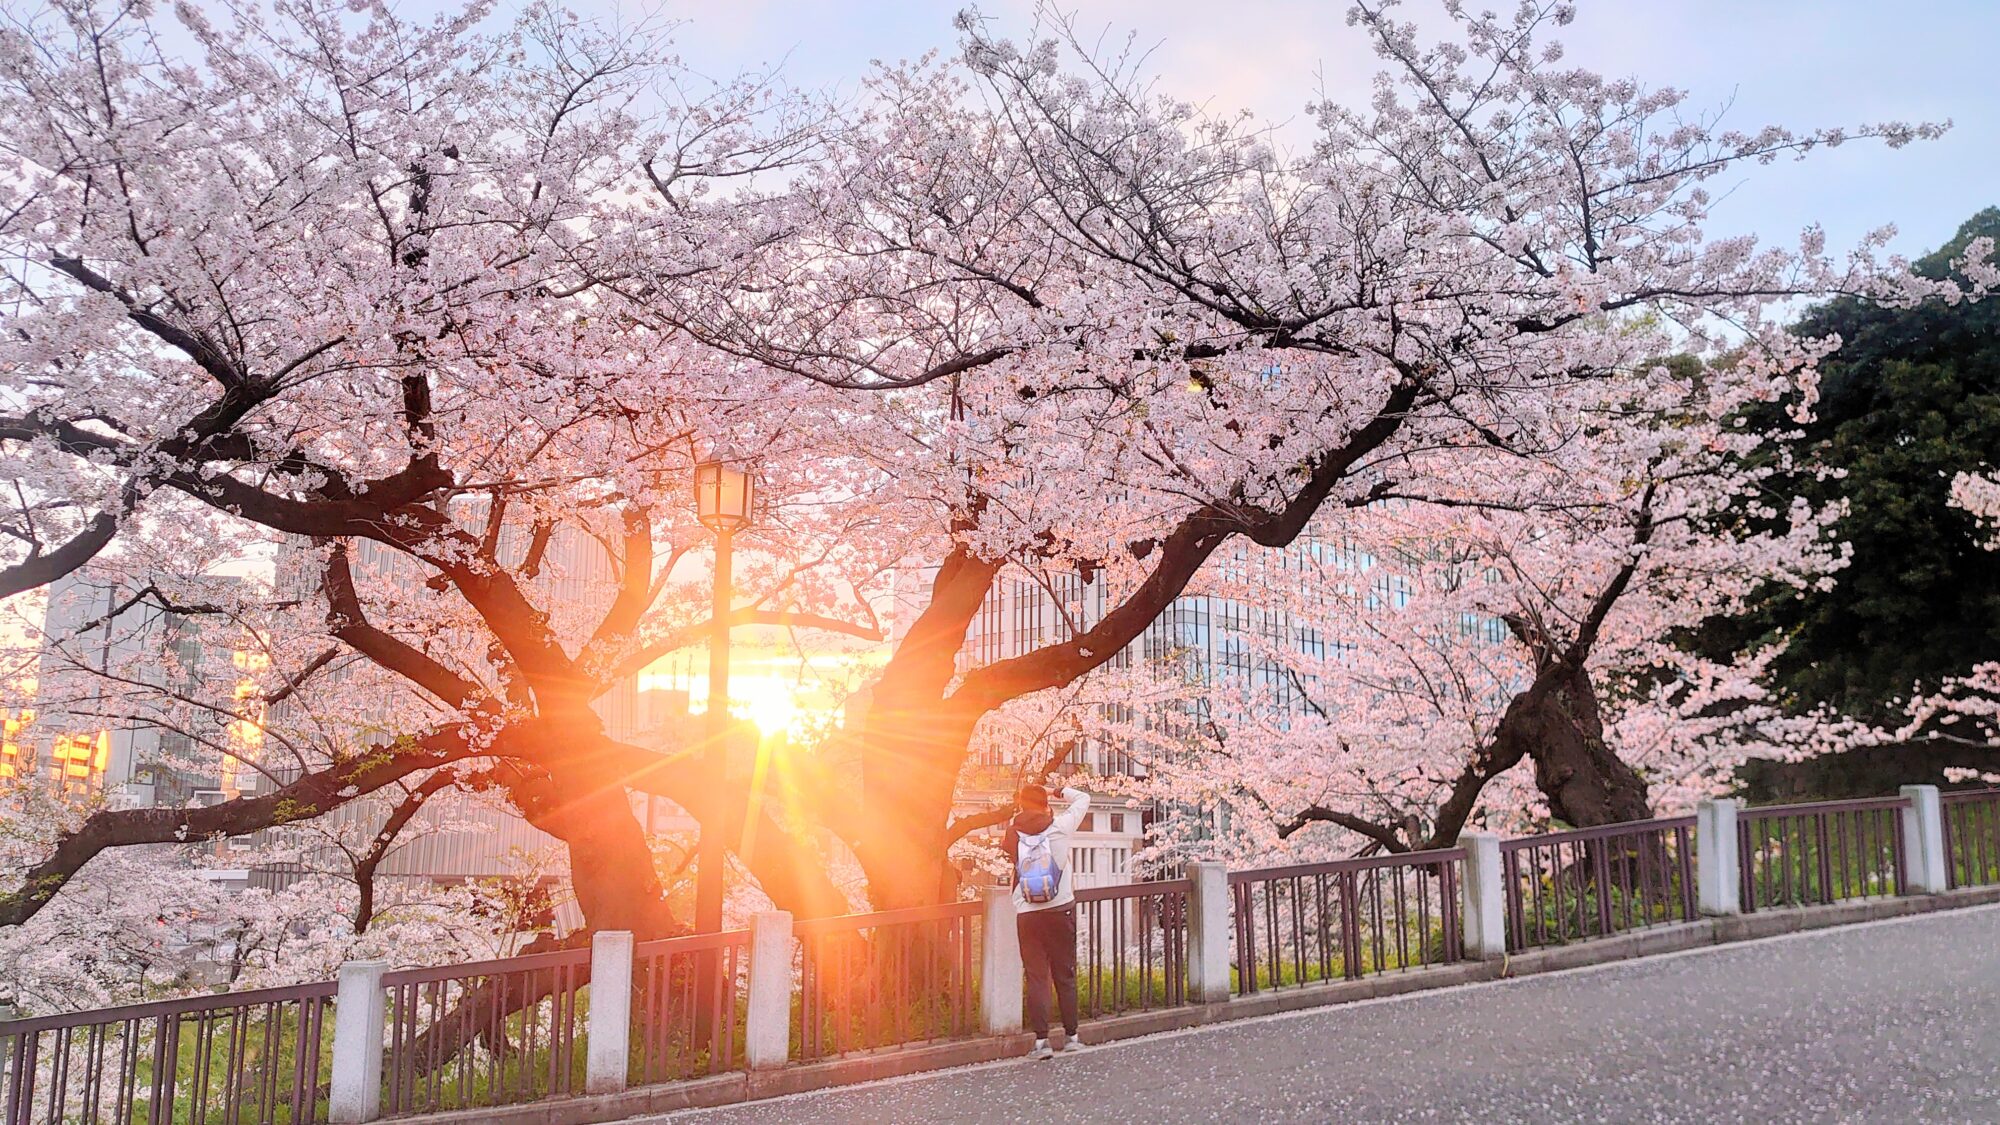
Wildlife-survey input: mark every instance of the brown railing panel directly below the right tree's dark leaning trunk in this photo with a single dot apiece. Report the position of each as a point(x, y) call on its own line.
point(1599, 882)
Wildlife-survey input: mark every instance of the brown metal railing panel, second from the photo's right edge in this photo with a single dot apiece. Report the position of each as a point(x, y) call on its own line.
point(1825, 852)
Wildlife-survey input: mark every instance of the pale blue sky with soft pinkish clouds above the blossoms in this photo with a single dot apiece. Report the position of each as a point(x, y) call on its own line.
point(1799, 63)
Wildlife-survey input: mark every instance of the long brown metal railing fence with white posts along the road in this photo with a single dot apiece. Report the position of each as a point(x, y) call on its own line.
point(521, 1030)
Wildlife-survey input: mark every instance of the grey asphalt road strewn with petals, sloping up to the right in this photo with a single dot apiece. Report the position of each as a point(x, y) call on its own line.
point(1891, 1022)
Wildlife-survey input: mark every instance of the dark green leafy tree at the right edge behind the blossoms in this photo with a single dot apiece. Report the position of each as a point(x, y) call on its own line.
point(1911, 399)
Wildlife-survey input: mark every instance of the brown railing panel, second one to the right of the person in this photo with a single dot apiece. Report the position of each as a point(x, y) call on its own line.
point(1345, 920)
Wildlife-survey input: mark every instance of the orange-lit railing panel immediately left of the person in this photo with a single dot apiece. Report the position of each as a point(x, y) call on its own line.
point(887, 980)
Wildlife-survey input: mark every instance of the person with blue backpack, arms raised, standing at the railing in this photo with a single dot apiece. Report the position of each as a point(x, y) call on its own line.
point(1045, 908)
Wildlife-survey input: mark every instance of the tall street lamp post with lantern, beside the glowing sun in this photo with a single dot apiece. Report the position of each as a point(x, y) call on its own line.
point(723, 501)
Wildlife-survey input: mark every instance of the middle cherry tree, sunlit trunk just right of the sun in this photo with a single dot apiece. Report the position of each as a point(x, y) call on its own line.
point(1111, 337)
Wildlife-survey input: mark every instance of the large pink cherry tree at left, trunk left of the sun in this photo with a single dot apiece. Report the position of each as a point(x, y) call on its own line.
point(323, 295)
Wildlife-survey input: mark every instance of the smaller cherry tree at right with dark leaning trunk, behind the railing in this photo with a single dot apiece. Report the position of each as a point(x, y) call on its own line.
point(1393, 676)
